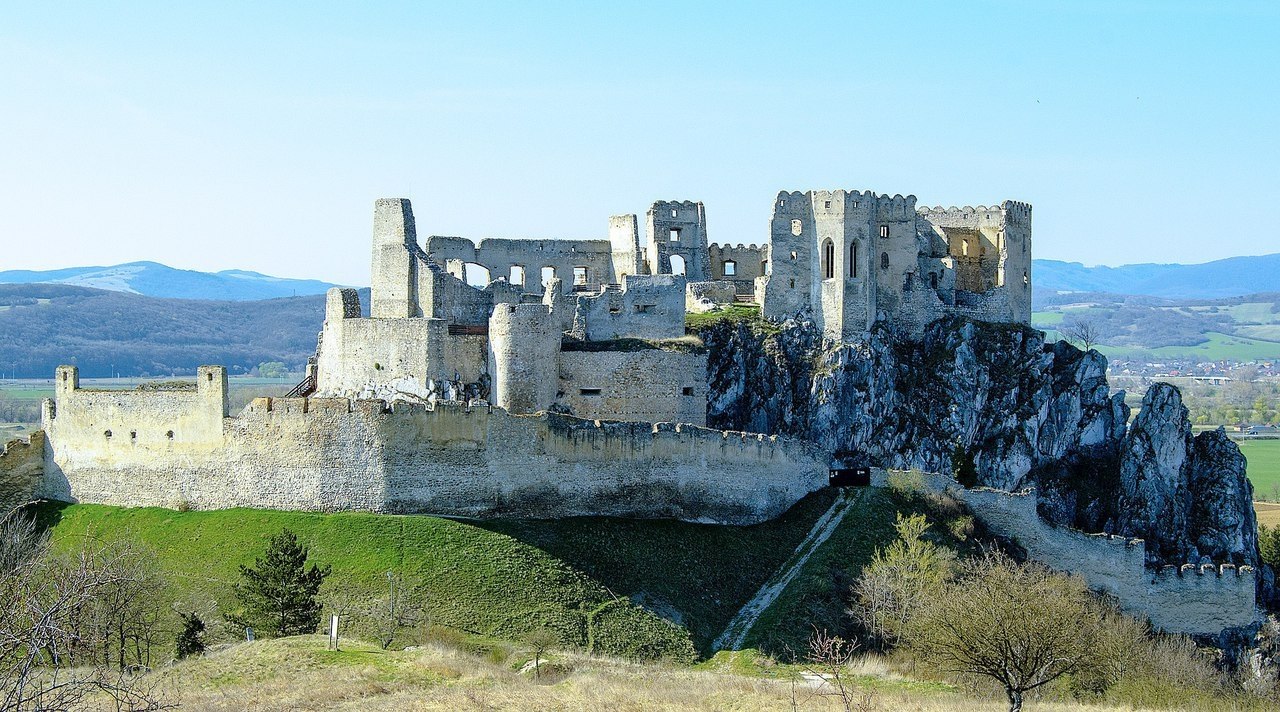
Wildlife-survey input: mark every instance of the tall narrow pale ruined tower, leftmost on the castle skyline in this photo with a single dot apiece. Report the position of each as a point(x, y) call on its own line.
point(395, 275)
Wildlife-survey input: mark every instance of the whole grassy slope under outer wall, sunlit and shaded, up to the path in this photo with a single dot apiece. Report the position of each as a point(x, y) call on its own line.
point(634, 588)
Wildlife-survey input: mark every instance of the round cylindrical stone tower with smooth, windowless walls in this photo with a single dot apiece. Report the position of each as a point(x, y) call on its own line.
point(524, 354)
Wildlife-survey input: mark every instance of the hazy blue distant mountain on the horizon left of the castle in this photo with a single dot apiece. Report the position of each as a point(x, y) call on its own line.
point(154, 280)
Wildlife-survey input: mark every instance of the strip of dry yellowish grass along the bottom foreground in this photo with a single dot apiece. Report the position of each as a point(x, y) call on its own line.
point(301, 674)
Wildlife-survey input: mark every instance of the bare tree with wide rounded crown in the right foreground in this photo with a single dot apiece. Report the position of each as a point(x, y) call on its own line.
point(1021, 626)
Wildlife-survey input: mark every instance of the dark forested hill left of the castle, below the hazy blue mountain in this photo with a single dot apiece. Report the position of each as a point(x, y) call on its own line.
point(43, 326)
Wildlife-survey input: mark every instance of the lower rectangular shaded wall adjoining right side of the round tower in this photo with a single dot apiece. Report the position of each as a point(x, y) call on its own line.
point(650, 386)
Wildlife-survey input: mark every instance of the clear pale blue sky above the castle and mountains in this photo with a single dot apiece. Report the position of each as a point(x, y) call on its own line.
point(226, 135)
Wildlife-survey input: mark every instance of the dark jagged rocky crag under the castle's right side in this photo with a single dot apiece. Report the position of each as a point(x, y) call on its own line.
point(999, 408)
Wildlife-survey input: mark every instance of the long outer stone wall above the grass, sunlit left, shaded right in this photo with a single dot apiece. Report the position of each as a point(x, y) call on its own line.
point(340, 455)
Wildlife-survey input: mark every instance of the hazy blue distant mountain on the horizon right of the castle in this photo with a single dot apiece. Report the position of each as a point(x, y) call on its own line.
point(1233, 277)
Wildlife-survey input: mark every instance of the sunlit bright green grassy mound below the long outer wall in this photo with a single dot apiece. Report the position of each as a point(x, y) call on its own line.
point(469, 578)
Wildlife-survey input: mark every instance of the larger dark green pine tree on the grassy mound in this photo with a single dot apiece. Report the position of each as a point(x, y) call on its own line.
point(278, 594)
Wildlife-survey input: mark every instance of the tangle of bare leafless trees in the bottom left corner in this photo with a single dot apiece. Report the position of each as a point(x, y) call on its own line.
point(49, 645)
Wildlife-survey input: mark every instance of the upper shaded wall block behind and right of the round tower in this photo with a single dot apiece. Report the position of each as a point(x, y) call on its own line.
point(648, 307)
